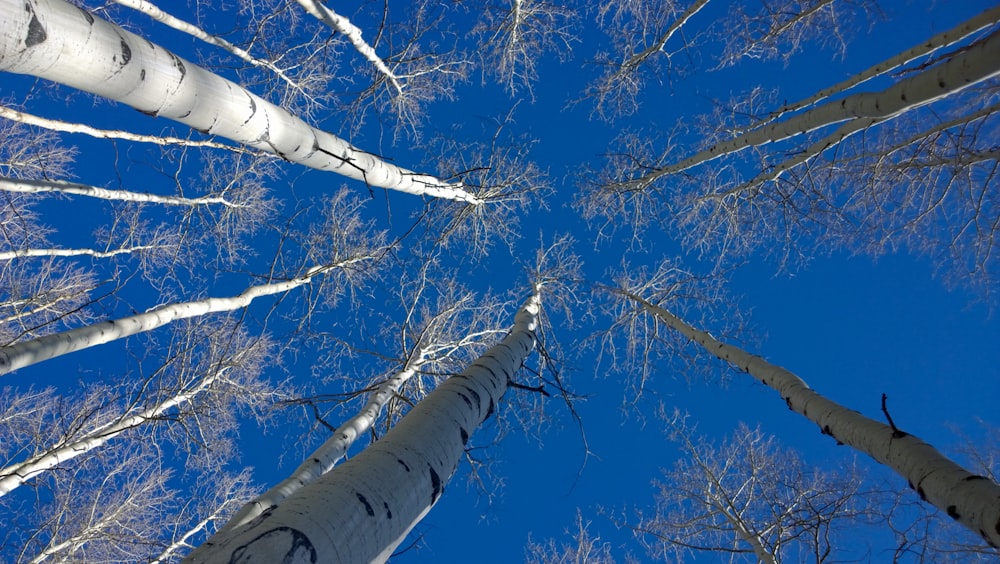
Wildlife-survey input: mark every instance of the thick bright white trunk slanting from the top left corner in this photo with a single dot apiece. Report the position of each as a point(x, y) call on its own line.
point(55, 40)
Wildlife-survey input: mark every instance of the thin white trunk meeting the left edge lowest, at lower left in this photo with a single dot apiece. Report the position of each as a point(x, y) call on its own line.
point(18, 474)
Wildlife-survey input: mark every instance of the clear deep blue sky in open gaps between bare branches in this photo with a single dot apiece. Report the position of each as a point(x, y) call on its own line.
point(852, 327)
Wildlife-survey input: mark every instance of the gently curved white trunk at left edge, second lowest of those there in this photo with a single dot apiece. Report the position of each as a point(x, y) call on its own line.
point(37, 350)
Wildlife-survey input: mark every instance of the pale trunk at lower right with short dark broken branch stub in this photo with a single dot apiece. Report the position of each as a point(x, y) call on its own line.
point(972, 500)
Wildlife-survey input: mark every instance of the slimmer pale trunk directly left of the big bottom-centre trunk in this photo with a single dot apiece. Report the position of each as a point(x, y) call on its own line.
point(323, 459)
